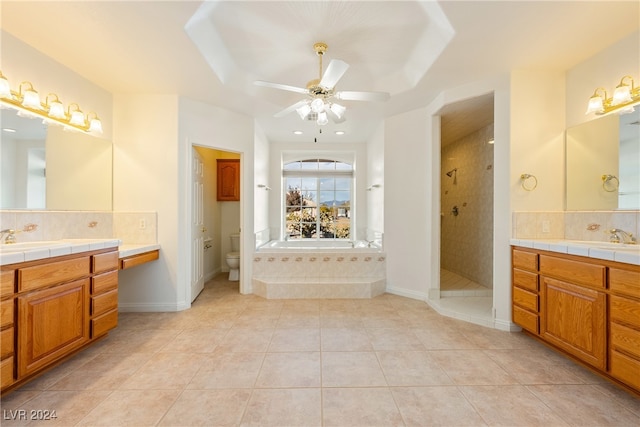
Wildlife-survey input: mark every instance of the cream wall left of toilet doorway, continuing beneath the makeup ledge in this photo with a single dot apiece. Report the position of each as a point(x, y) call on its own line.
point(145, 178)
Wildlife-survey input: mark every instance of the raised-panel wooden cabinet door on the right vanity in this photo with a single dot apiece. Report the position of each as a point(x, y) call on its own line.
point(573, 318)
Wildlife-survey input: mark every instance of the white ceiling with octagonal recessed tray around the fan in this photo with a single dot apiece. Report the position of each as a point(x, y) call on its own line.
point(394, 46)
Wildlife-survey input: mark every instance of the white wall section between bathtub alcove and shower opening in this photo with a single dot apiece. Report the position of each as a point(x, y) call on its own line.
point(407, 205)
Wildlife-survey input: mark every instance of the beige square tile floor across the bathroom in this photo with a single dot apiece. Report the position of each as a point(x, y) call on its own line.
point(242, 360)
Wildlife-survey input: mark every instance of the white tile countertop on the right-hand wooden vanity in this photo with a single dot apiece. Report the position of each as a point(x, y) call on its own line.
point(628, 254)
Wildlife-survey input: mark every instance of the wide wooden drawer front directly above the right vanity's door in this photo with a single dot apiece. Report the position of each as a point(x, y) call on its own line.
point(573, 271)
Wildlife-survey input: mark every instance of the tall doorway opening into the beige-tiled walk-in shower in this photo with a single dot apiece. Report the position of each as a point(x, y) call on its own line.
point(466, 204)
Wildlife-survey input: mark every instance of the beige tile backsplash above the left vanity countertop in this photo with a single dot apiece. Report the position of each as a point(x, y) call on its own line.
point(130, 227)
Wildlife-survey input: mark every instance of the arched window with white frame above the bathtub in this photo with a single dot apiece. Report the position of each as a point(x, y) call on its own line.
point(317, 199)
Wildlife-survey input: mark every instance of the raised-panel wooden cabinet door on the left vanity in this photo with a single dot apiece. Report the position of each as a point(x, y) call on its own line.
point(51, 323)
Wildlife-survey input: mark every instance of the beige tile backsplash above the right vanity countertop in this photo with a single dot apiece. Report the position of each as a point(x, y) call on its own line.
point(574, 225)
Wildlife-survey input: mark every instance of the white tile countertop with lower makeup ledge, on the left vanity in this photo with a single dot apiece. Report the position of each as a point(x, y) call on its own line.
point(31, 251)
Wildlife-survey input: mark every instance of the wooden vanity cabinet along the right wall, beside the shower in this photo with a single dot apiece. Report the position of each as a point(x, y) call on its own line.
point(588, 308)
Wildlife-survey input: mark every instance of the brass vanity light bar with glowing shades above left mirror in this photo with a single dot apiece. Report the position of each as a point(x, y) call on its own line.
point(27, 101)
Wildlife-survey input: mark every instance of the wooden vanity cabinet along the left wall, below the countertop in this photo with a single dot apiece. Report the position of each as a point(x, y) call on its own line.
point(52, 308)
